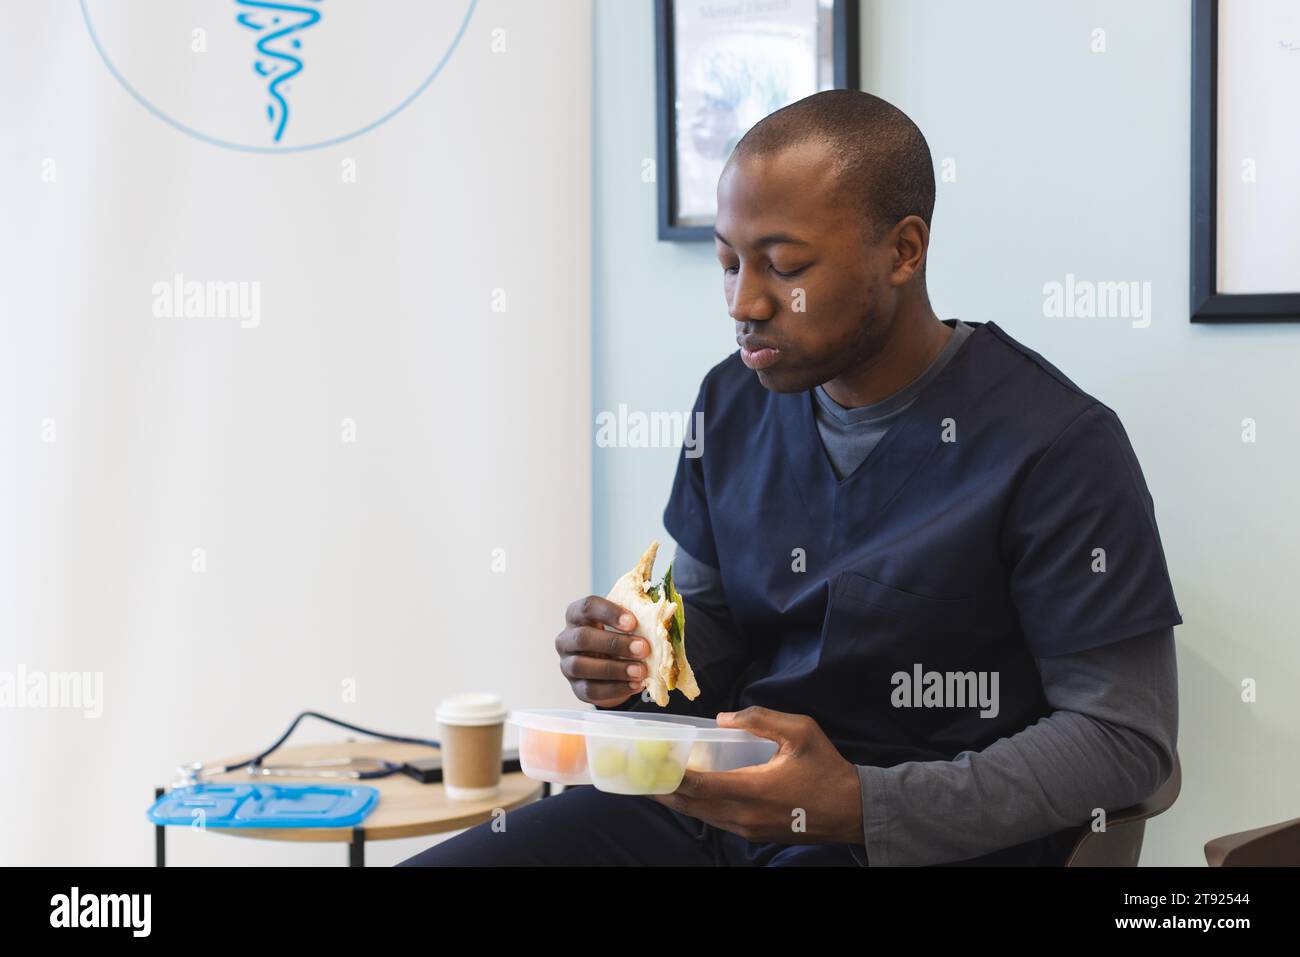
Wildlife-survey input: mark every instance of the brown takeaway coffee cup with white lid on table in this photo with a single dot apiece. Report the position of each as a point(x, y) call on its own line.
point(473, 728)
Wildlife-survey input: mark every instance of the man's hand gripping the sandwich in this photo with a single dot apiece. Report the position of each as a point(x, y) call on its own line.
point(601, 665)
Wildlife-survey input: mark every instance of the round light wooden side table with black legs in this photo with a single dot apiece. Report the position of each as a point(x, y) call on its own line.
point(406, 808)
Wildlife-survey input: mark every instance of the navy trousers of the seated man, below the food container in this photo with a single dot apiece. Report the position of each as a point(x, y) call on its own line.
point(584, 826)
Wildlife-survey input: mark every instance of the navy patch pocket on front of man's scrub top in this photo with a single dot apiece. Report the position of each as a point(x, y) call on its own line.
point(873, 631)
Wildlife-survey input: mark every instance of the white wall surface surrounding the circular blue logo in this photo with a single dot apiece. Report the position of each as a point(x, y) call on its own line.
point(327, 561)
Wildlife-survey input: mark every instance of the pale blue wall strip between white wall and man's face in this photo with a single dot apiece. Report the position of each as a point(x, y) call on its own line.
point(658, 318)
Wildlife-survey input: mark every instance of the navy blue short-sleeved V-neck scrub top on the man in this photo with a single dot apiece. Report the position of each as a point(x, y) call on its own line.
point(978, 553)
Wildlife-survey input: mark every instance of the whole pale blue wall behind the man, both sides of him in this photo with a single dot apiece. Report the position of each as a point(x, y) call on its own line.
point(1068, 162)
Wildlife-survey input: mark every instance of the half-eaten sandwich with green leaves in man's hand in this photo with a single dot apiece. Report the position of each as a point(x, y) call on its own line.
point(662, 622)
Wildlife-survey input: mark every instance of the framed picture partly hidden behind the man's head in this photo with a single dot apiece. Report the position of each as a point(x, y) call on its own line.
point(722, 67)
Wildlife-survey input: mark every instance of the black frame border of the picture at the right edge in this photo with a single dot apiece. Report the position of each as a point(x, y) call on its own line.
point(1206, 304)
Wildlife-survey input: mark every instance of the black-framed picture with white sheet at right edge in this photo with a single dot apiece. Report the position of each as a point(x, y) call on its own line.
point(1246, 162)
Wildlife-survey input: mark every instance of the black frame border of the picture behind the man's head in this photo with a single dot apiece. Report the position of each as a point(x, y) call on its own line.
point(847, 76)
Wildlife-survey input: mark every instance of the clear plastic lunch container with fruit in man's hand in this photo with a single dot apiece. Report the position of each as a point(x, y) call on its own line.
point(630, 752)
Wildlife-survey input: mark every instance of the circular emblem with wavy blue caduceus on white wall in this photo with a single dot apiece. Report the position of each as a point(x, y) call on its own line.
point(265, 76)
